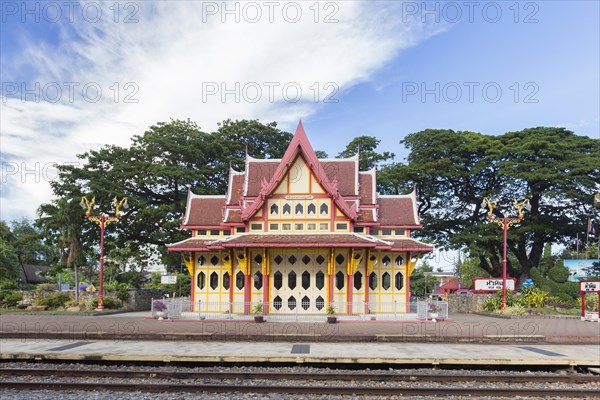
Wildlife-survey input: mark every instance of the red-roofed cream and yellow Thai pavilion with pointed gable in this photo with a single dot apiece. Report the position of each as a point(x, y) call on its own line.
point(299, 234)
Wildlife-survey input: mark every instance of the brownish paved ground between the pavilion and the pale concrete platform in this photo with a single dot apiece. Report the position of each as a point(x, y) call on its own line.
point(464, 328)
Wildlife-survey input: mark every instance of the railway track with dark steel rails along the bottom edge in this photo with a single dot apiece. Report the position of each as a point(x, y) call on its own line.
point(340, 384)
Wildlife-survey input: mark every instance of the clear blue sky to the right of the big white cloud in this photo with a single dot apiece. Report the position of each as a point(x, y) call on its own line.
point(559, 56)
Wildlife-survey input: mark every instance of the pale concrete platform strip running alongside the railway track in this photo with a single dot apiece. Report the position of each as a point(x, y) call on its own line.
point(304, 352)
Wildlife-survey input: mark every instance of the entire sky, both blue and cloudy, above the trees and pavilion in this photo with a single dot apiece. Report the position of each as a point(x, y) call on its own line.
point(153, 61)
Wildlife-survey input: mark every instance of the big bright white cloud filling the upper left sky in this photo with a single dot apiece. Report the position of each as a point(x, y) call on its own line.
point(167, 60)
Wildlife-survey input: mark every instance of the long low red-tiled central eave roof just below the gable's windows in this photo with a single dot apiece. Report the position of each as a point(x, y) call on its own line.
point(299, 240)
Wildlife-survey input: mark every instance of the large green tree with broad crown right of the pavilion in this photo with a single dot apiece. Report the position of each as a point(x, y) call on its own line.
point(555, 169)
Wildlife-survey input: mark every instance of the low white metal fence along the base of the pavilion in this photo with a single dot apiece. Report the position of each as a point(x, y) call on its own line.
point(184, 308)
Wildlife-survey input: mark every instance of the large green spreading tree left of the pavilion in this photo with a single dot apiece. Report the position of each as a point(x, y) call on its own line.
point(154, 173)
